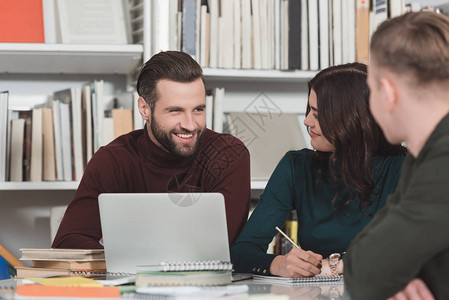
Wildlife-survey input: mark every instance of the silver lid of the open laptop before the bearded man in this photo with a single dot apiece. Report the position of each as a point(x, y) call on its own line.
point(143, 229)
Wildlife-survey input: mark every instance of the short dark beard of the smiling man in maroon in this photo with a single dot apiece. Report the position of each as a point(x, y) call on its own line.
point(166, 140)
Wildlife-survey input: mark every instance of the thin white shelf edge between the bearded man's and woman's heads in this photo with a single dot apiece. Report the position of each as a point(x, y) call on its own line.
point(257, 75)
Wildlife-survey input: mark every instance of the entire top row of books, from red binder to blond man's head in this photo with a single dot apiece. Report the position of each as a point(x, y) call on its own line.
point(238, 34)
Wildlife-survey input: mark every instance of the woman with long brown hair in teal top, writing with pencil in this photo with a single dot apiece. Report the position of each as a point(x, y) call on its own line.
point(335, 188)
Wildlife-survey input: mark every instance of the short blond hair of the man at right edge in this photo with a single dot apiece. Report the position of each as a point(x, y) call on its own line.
point(415, 44)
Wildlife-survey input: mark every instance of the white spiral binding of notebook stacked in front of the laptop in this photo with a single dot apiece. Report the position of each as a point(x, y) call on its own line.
point(209, 265)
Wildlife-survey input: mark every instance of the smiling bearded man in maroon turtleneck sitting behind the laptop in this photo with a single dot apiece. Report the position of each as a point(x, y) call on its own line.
point(173, 153)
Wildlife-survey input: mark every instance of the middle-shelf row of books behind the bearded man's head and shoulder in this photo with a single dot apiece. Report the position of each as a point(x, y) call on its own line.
point(54, 141)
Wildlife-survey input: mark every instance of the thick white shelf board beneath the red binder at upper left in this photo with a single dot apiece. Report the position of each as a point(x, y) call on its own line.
point(26, 58)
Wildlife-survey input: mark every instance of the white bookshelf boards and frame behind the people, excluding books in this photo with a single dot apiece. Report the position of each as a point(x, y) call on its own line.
point(31, 72)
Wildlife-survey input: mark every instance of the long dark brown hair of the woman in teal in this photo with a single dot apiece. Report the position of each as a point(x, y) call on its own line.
point(346, 122)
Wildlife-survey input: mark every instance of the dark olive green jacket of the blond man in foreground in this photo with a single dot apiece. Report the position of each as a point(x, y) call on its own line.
point(409, 237)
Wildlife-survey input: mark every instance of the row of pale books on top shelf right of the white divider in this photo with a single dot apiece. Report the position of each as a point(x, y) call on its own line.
point(265, 34)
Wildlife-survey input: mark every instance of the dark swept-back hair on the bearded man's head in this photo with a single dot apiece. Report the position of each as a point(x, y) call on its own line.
point(172, 65)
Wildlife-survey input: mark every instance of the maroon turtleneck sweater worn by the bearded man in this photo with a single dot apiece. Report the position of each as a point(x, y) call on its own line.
point(132, 163)
